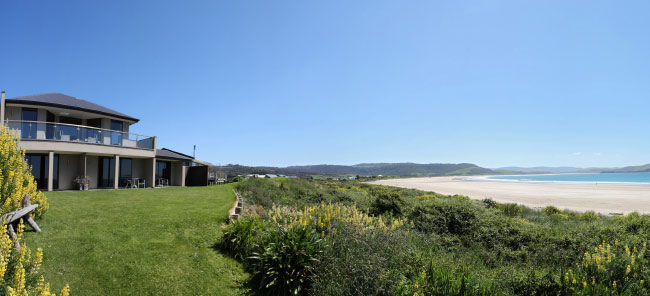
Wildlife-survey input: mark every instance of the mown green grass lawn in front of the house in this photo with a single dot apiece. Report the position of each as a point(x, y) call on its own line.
point(138, 242)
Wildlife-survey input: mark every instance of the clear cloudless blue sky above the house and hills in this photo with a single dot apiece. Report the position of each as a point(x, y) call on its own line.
point(495, 83)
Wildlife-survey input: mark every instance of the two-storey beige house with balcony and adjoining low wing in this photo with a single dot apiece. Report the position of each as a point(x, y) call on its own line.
point(66, 137)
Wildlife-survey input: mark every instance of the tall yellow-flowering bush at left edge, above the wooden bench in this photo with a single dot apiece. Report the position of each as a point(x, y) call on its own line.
point(16, 179)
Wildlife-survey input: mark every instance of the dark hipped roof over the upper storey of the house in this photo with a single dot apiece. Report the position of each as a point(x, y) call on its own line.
point(68, 102)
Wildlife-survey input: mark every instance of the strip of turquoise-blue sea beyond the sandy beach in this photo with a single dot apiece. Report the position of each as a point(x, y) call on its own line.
point(622, 178)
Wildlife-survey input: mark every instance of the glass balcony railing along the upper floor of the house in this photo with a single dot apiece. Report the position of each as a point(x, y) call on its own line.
point(34, 130)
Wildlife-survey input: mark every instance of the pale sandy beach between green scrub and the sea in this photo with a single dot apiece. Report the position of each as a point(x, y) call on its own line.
point(605, 199)
